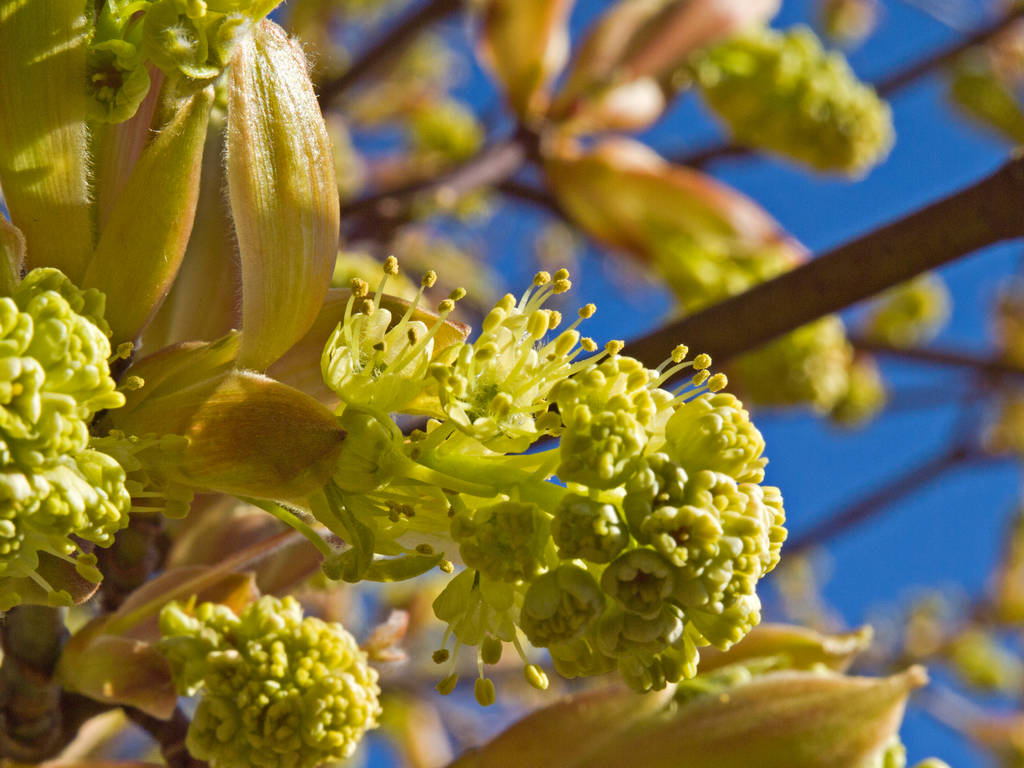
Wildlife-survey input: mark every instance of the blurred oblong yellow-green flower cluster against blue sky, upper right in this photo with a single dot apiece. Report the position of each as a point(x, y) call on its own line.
point(783, 93)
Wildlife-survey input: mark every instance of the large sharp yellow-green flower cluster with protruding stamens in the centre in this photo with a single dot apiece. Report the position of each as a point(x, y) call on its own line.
point(652, 548)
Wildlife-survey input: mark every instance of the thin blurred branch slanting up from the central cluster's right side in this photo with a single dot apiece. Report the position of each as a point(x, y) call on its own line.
point(877, 501)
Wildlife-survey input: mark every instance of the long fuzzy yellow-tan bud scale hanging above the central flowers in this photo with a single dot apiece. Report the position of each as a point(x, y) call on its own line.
point(283, 192)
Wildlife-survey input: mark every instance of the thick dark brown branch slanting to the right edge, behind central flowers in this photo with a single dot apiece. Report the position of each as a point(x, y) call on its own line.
point(983, 215)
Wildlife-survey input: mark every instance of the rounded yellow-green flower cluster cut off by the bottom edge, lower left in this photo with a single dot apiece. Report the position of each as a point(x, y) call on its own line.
point(277, 691)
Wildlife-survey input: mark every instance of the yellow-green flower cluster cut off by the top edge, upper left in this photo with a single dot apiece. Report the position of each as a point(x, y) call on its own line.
point(185, 38)
